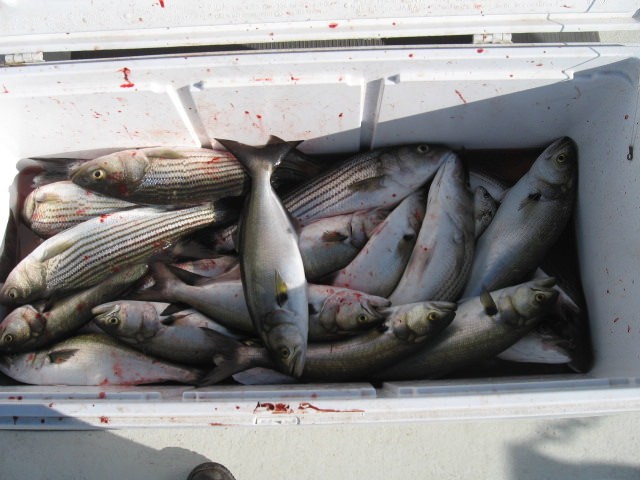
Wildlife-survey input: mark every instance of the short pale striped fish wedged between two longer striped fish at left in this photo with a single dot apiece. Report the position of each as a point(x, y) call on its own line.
point(55, 207)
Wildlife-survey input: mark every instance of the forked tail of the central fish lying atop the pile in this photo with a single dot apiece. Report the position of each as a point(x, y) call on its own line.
point(258, 159)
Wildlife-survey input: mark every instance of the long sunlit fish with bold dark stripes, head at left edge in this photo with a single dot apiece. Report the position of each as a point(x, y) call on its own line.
point(84, 255)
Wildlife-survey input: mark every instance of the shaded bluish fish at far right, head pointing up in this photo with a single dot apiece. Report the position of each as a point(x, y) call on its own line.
point(528, 222)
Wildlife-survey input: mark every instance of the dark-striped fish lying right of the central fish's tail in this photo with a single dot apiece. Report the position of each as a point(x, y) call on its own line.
point(376, 179)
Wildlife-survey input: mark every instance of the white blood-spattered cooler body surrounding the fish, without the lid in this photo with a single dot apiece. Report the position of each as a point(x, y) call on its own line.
point(339, 101)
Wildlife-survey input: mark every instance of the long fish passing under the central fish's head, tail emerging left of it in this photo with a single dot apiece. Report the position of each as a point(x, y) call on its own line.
point(405, 330)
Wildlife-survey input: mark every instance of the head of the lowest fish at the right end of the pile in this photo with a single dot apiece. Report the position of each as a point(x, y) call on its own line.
point(531, 300)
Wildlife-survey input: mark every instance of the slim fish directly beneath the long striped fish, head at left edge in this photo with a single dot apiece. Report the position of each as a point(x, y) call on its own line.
point(29, 327)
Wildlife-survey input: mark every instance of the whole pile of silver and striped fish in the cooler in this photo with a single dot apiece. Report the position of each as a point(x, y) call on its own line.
point(270, 266)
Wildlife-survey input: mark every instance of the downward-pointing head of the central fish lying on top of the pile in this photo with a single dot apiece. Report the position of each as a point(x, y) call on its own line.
point(286, 341)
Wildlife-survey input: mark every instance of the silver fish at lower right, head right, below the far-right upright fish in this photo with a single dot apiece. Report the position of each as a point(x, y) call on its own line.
point(483, 327)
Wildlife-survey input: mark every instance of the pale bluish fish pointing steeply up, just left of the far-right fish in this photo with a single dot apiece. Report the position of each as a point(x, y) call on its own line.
point(441, 258)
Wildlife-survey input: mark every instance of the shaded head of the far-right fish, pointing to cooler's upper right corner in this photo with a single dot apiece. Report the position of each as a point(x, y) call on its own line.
point(557, 164)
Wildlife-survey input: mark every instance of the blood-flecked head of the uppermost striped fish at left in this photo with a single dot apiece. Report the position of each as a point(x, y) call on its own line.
point(119, 172)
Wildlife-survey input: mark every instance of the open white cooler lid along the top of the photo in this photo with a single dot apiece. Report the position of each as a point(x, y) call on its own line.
point(67, 25)
